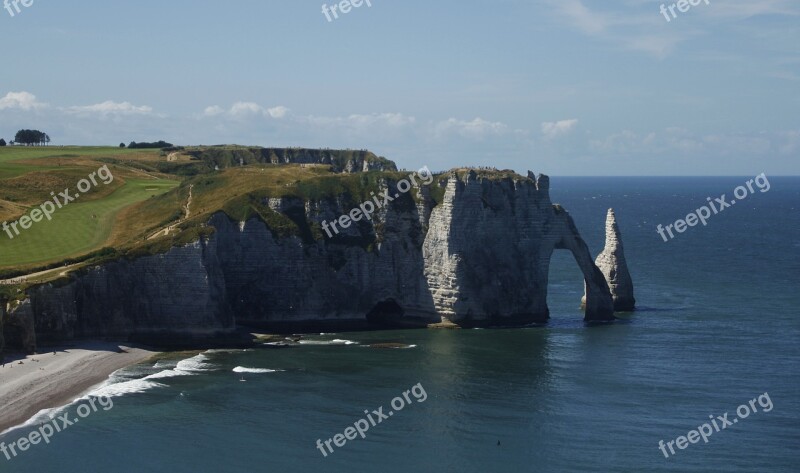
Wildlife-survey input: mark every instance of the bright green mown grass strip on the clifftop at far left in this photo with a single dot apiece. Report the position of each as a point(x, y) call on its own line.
point(74, 231)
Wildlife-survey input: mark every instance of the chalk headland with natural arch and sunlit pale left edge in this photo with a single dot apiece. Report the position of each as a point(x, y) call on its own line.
point(488, 249)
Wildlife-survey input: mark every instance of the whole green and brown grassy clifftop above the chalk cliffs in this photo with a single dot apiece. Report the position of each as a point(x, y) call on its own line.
point(159, 199)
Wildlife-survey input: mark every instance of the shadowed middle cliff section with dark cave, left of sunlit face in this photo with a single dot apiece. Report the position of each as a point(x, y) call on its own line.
point(369, 275)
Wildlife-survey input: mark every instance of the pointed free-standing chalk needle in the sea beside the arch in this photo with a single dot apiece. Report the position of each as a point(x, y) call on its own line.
point(614, 267)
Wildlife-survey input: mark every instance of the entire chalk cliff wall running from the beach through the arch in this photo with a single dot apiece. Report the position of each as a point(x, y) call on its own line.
point(478, 257)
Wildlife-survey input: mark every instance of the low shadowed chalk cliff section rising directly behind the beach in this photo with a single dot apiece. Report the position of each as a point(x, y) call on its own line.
point(168, 298)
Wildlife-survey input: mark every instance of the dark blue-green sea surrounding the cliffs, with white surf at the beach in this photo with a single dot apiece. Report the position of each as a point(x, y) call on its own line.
point(713, 348)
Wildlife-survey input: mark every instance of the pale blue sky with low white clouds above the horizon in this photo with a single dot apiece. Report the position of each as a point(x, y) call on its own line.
point(561, 87)
